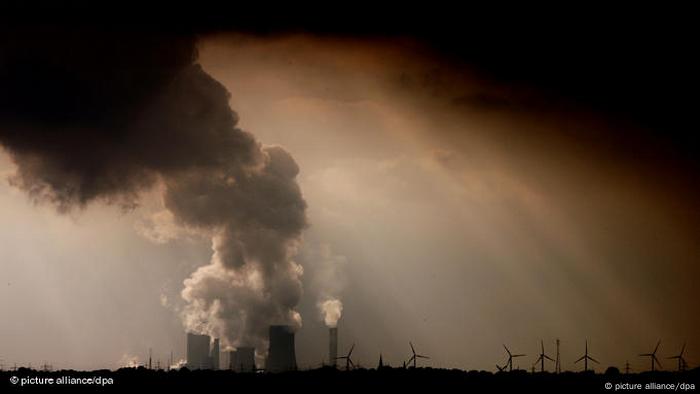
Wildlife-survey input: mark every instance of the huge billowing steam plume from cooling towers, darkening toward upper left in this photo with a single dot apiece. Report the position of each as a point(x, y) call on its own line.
point(103, 117)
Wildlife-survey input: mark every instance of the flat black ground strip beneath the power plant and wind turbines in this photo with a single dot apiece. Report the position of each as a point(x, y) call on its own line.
point(325, 380)
